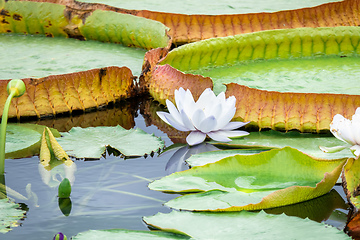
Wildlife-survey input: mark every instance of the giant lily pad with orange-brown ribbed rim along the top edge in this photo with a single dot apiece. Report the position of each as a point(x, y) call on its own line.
point(190, 25)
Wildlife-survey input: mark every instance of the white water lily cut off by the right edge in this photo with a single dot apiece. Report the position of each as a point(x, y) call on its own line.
point(347, 131)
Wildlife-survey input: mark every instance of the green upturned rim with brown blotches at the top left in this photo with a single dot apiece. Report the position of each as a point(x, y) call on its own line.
point(57, 20)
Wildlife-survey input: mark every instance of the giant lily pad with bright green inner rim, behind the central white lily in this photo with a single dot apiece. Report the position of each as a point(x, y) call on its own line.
point(291, 109)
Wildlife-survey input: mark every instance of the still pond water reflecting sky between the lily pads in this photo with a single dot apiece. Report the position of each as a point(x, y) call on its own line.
point(112, 192)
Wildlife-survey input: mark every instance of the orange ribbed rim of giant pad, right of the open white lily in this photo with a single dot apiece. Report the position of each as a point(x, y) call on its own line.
point(306, 112)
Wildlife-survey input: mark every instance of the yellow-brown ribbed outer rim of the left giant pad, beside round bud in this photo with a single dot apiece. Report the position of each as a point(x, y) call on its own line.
point(71, 92)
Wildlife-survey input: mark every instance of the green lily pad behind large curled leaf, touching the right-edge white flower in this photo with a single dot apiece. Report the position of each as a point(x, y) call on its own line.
point(307, 143)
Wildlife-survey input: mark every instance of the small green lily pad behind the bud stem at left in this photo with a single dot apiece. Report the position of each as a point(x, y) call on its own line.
point(23, 140)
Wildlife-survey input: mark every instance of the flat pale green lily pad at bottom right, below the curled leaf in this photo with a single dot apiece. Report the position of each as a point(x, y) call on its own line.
point(244, 225)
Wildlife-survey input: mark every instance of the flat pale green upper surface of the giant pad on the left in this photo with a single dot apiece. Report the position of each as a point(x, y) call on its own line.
point(38, 56)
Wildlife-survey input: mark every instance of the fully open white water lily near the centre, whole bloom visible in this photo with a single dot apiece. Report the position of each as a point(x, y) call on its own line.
point(210, 115)
